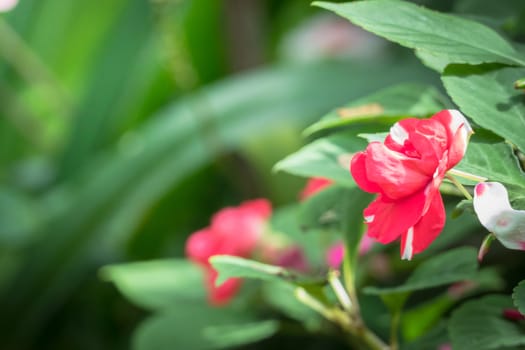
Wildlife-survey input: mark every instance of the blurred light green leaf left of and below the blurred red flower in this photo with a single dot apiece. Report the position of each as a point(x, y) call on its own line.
point(157, 284)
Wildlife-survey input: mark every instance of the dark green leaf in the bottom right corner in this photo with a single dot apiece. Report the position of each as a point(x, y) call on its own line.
point(479, 324)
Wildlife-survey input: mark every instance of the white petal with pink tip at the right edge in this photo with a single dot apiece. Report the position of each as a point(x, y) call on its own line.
point(492, 206)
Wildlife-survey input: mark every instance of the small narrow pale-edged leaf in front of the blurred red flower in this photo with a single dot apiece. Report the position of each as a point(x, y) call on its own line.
point(232, 266)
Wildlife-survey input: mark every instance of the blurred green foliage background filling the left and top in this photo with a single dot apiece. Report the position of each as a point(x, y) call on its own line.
point(125, 124)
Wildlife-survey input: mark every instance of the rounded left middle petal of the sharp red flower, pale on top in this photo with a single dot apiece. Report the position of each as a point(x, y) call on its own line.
point(396, 174)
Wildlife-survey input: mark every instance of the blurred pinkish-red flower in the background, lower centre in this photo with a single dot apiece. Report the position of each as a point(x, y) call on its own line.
point(233, 231)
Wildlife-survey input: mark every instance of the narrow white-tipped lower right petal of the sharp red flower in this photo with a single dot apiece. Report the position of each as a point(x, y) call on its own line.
point(419, 237)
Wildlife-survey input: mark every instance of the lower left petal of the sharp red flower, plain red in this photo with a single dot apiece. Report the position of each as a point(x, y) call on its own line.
point(388, 220)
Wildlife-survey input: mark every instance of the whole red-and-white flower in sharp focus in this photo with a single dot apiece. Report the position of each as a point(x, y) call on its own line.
point(406, 172)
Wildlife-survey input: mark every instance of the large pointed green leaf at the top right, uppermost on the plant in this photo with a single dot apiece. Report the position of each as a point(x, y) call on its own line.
point(455, 39)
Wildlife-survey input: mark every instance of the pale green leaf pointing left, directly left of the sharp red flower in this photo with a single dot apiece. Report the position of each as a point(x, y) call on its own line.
point(328, 157)
